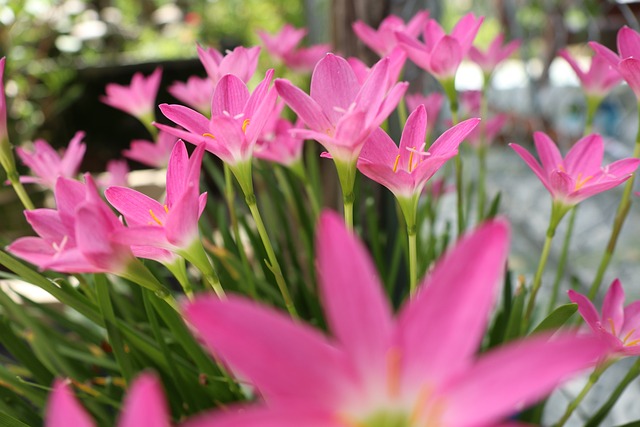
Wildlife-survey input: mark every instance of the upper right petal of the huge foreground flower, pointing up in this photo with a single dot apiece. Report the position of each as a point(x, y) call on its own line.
point(452, 299)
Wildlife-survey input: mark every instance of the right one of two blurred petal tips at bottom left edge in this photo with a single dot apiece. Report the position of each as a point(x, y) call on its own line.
point(145, 405)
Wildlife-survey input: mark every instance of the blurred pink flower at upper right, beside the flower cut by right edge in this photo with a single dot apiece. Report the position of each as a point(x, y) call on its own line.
point(599, 79)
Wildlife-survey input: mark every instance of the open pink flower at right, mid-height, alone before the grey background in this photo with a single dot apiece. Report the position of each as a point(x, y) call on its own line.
point(579, 175)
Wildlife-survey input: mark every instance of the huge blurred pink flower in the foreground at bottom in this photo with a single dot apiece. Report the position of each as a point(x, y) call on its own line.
point(418, 368)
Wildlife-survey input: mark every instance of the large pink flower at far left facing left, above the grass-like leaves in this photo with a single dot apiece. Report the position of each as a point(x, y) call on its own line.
point(78, 236)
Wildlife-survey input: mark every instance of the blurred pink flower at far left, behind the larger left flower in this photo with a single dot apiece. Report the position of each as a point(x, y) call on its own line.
point(48, 165)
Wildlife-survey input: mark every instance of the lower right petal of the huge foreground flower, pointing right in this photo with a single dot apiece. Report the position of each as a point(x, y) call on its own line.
point(516, 375)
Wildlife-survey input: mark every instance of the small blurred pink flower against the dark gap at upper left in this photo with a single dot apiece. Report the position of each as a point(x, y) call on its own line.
point(137, 99)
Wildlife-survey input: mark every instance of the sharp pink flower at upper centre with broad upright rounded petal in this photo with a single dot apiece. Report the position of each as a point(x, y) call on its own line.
point(340, 113)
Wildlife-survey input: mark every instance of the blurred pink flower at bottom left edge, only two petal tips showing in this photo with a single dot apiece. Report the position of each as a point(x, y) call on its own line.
point(144, 406)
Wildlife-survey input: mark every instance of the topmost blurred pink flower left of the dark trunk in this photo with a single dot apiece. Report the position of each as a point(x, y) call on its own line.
point(283, 46)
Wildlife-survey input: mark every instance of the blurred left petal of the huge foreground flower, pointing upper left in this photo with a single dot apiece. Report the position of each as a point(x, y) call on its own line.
point(303, 365)
